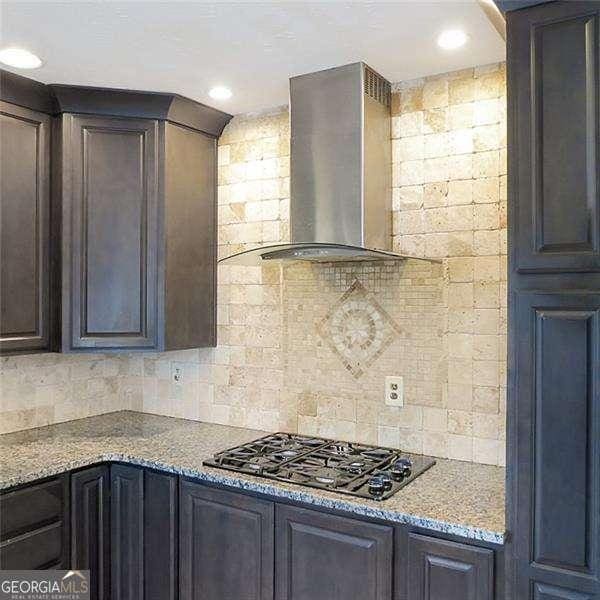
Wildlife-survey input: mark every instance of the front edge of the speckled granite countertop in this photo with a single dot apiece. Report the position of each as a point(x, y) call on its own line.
point(229, 480)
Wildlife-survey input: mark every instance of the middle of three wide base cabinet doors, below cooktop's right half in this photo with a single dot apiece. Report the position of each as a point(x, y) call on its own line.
point(326, 557)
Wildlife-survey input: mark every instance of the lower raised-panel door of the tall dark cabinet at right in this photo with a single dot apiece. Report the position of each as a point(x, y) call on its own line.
point(557, 503)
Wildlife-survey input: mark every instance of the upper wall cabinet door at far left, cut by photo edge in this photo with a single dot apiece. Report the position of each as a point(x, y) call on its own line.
point(24, 229)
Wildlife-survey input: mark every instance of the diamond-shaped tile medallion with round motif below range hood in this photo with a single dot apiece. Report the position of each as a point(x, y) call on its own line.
point(357, 329)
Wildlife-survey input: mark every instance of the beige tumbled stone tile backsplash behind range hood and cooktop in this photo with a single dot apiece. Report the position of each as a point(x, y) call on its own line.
point(306, 347)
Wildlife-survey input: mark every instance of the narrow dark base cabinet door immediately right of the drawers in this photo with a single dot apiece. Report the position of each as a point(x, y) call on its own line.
point(90, 531)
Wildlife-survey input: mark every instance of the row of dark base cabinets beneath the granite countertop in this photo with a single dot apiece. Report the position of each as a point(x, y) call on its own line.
point(146, 535)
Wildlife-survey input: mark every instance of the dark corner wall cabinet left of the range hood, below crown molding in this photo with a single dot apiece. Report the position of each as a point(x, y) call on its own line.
point(139, 227)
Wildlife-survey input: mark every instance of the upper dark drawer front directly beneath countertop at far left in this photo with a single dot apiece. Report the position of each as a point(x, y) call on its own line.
point(31, 507)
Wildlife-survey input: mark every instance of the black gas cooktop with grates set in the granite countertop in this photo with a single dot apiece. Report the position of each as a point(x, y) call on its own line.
point(348, 468)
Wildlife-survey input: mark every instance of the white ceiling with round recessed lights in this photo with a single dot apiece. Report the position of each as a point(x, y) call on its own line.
point(251, 47)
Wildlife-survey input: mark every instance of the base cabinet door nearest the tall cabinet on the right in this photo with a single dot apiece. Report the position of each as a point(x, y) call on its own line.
point(442, 570)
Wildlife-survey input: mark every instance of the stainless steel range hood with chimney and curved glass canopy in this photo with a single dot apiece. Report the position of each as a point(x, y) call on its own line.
point(340, 171)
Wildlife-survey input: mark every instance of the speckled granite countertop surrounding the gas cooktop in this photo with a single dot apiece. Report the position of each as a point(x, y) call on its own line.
point(459, 498)
